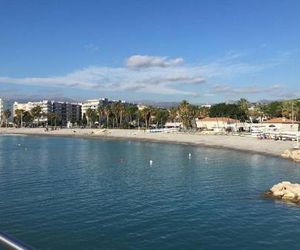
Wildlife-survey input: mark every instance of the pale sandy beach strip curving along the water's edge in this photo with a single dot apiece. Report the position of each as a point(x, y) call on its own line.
point(243, 143)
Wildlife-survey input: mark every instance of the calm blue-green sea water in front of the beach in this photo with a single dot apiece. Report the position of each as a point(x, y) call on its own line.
point(70, 193)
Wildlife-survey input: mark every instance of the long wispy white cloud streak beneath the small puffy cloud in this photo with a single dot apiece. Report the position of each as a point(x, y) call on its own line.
point(160, 81)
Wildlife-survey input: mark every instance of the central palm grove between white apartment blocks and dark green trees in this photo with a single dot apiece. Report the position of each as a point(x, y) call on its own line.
point(122, 115)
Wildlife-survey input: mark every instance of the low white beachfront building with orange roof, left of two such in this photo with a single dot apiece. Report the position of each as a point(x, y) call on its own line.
point(219, 124)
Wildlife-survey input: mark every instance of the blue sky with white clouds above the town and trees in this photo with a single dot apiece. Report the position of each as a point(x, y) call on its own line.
point(204, 51)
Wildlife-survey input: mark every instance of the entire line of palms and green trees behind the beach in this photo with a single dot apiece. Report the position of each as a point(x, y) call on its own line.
point(124, 115)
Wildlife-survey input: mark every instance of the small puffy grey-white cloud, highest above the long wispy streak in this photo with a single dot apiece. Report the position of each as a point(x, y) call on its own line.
point(145, 61)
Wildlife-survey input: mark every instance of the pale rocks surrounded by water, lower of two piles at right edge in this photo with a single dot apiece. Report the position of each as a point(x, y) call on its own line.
point(285, 191)
